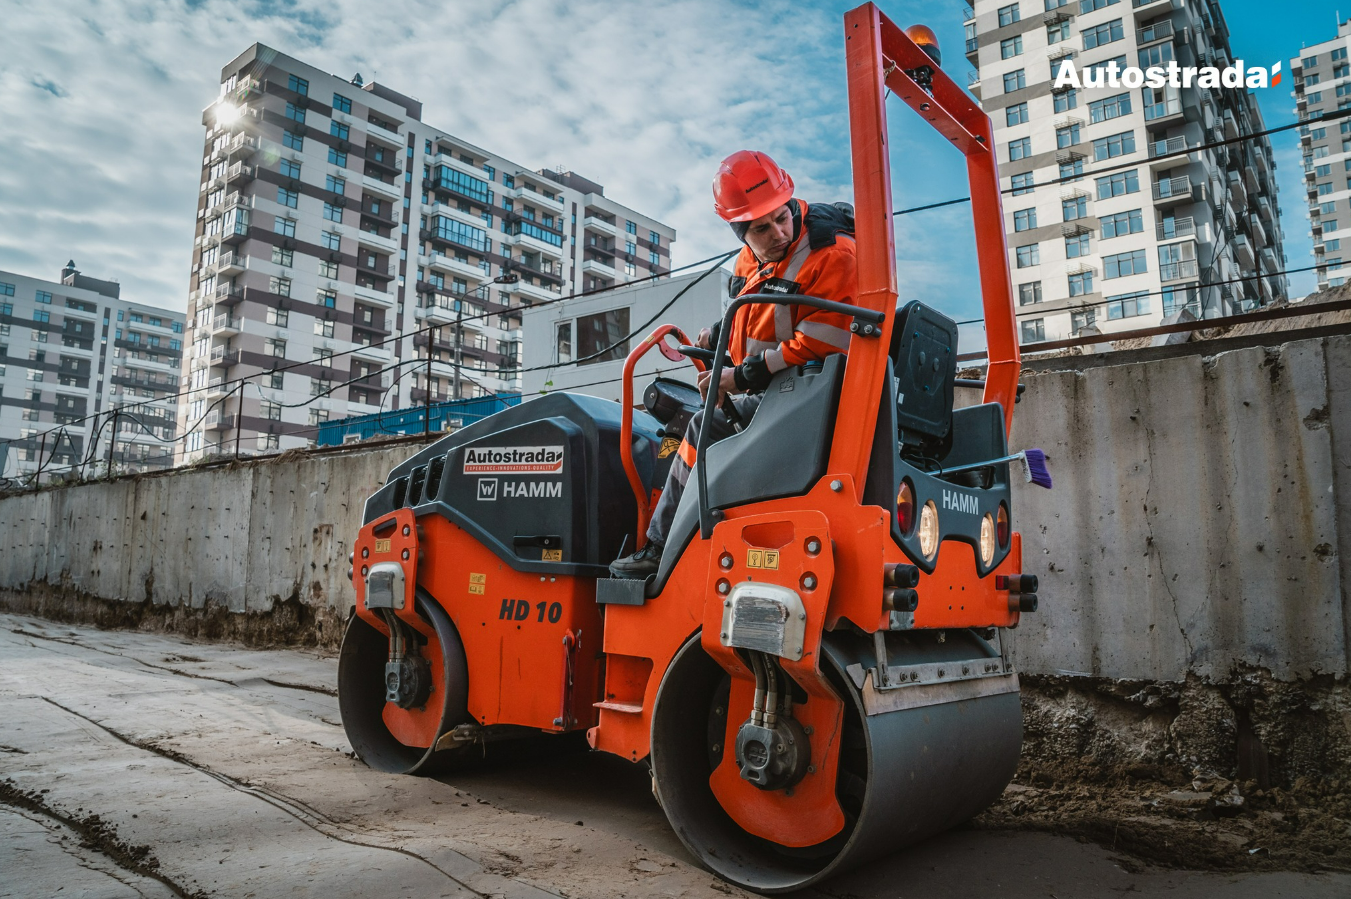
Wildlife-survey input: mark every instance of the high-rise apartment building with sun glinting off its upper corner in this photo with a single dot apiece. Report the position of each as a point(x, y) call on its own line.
point(340, 236)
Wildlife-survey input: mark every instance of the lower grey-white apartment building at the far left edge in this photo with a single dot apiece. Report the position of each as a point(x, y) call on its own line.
point(72, 352)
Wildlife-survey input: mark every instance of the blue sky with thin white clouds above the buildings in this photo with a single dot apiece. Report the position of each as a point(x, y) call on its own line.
point(103, 135)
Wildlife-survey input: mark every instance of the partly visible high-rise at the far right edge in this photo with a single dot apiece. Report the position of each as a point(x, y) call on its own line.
point(1323, 84)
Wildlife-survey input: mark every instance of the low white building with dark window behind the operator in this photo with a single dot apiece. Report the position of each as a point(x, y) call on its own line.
point(568, 347)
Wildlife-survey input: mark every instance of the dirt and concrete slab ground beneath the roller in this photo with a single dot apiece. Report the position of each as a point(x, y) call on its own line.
point(147, 764)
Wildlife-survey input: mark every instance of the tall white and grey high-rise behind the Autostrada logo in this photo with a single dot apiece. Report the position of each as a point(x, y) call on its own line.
point(1163, 230)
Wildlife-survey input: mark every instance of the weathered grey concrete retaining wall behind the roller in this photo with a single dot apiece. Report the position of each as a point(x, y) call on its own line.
point(1200, 521)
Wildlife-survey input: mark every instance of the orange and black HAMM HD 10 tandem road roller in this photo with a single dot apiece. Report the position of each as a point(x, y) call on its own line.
point(817, 675)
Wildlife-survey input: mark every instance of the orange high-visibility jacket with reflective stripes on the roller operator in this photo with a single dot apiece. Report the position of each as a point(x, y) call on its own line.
point(787, 336)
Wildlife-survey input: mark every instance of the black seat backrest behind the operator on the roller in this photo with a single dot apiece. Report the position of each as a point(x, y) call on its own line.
point(925, 360)
